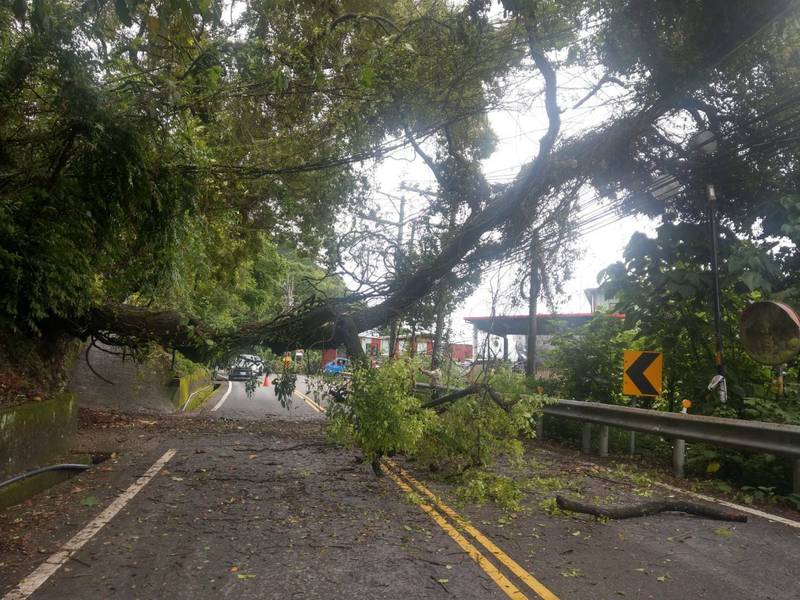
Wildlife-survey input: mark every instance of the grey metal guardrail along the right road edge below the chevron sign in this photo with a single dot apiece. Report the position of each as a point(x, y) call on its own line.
point(757, 436)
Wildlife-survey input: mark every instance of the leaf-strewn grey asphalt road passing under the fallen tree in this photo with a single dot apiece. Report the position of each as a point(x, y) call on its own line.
point(254, 503)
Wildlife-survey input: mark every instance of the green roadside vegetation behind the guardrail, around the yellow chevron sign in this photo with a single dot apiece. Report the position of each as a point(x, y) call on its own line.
point(587, 363)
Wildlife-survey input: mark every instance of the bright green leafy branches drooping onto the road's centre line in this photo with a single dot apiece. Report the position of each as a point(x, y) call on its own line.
point(380, 415)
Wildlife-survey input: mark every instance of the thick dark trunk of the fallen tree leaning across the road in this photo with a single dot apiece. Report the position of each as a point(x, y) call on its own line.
point(604, 154)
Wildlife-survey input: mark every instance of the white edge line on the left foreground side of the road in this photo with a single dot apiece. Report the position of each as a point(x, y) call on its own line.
point(52, 564)
